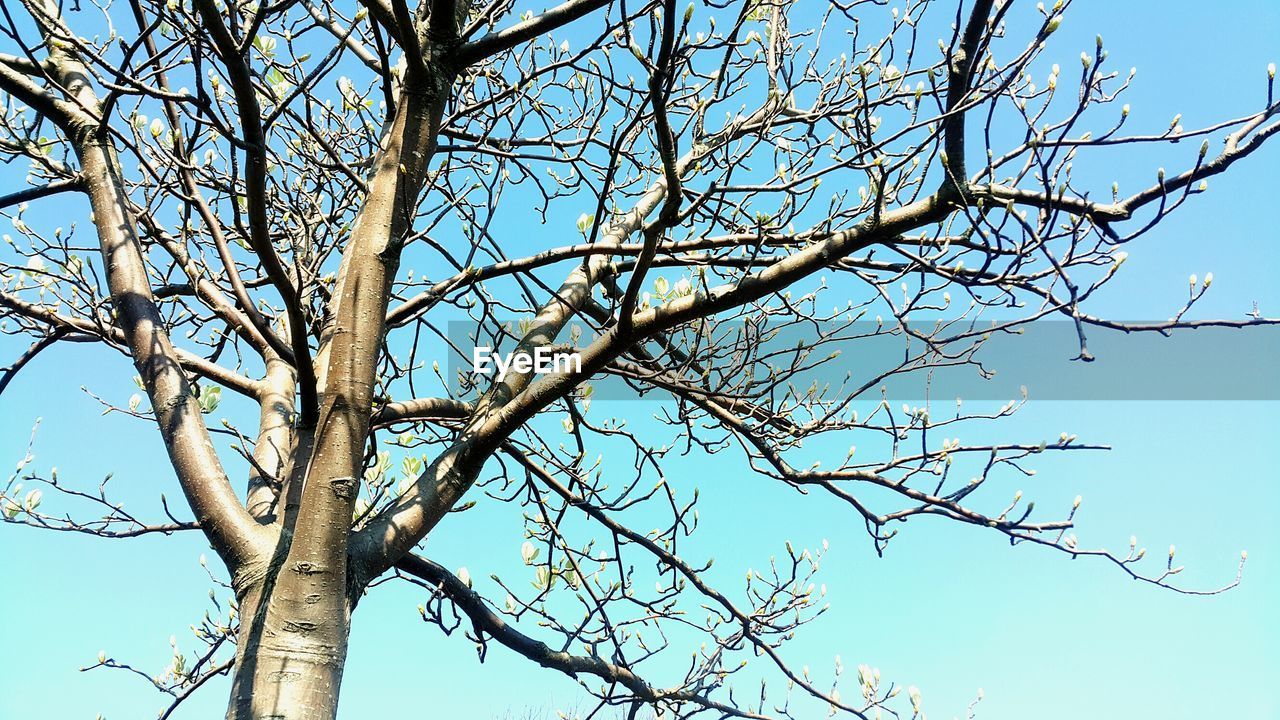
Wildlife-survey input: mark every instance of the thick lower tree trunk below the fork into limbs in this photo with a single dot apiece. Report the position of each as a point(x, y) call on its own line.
point(291, 650)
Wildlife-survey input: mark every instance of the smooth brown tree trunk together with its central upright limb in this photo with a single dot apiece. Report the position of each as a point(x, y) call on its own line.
point(298, 619)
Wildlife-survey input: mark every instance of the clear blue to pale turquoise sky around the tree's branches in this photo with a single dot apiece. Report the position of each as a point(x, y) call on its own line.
point(949, 609)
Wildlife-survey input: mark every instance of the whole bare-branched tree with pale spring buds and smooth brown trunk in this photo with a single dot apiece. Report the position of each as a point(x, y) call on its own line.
point(258, 175)
